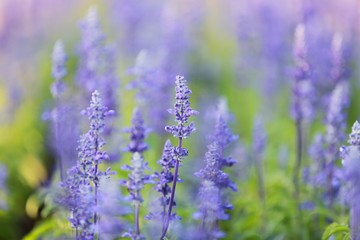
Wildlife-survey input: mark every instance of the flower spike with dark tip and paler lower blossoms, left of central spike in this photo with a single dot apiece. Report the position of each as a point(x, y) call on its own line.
point(137, 177)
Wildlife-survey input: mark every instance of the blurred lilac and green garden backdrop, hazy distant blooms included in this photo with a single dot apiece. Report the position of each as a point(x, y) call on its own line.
point(240, 58)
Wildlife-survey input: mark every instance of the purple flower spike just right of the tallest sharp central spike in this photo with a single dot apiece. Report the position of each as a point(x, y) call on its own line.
point(214, 181)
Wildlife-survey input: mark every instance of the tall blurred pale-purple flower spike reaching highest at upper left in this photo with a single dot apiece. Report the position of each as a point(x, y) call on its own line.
point(97, 68)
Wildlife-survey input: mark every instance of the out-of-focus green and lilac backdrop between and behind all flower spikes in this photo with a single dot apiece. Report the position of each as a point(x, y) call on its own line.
point(237, 51)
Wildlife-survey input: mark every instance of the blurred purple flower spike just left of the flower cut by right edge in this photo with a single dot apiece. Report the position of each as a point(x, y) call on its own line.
point(325, 150)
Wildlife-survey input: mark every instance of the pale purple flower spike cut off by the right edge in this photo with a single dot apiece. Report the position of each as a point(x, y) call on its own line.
point(351, 156)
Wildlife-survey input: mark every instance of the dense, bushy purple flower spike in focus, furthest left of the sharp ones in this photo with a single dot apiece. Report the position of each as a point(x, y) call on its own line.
point(81, 186)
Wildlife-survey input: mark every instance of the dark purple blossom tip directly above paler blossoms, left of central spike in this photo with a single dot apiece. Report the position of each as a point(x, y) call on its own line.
point(138, 133)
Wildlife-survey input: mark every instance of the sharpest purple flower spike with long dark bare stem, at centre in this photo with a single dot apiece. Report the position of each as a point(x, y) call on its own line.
point(182, 111)
